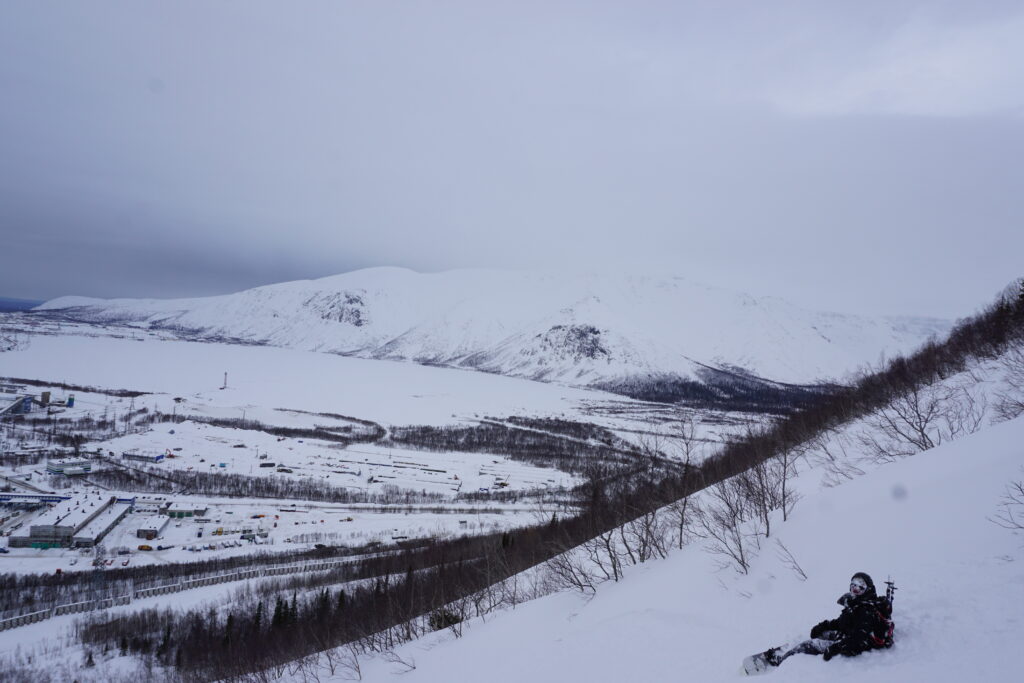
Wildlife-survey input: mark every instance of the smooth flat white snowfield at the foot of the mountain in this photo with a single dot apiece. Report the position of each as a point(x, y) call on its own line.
point(262, 379)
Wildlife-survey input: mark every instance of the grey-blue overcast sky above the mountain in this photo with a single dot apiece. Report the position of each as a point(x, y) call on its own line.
point(863, 157)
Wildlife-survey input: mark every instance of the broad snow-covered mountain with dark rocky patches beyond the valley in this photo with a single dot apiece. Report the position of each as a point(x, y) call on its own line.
point(613, 332)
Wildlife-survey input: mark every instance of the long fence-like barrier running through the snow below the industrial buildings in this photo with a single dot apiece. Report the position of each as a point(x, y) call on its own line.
point(189, 584)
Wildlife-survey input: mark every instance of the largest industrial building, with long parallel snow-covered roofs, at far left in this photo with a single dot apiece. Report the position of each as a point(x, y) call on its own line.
point(79, 523)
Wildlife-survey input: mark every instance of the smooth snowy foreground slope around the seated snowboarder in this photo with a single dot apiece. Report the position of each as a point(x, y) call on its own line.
point(925, 521)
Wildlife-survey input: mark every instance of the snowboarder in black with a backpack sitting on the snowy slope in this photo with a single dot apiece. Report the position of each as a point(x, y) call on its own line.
point(864, 625)
